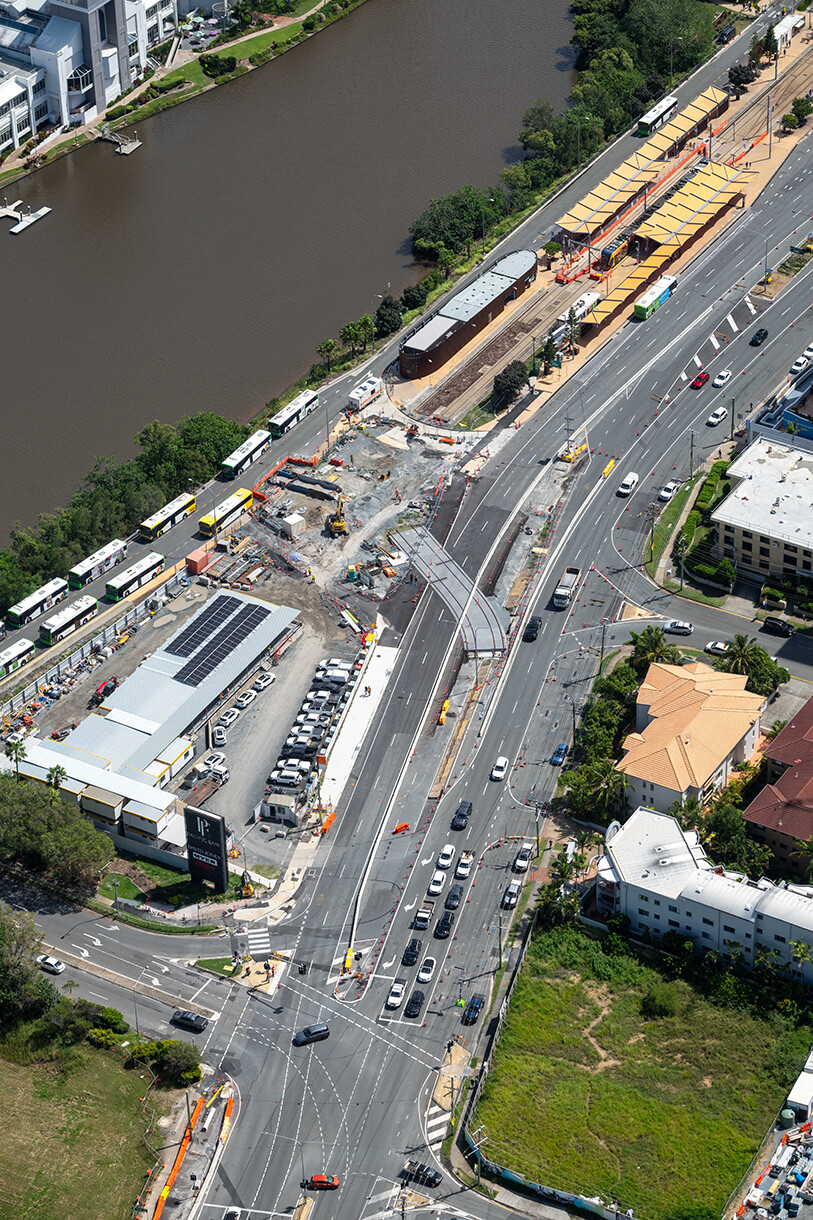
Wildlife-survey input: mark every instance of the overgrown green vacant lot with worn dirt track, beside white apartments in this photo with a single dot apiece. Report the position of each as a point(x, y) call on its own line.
point(665, 1116)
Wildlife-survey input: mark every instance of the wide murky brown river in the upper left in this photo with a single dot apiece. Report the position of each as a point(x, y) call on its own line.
point(201, 273)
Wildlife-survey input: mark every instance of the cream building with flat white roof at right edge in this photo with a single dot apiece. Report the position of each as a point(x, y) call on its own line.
point(764, 525)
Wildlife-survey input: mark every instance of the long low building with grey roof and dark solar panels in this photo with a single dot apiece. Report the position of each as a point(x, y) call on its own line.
point(119, 763)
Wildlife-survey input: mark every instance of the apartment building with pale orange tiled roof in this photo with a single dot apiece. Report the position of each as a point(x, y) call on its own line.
point(693, 727)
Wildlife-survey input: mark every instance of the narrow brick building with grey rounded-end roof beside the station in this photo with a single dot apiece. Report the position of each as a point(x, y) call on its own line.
point(467, 314)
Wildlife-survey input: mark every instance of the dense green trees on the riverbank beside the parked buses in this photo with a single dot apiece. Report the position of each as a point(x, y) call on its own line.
point(114, 498)
